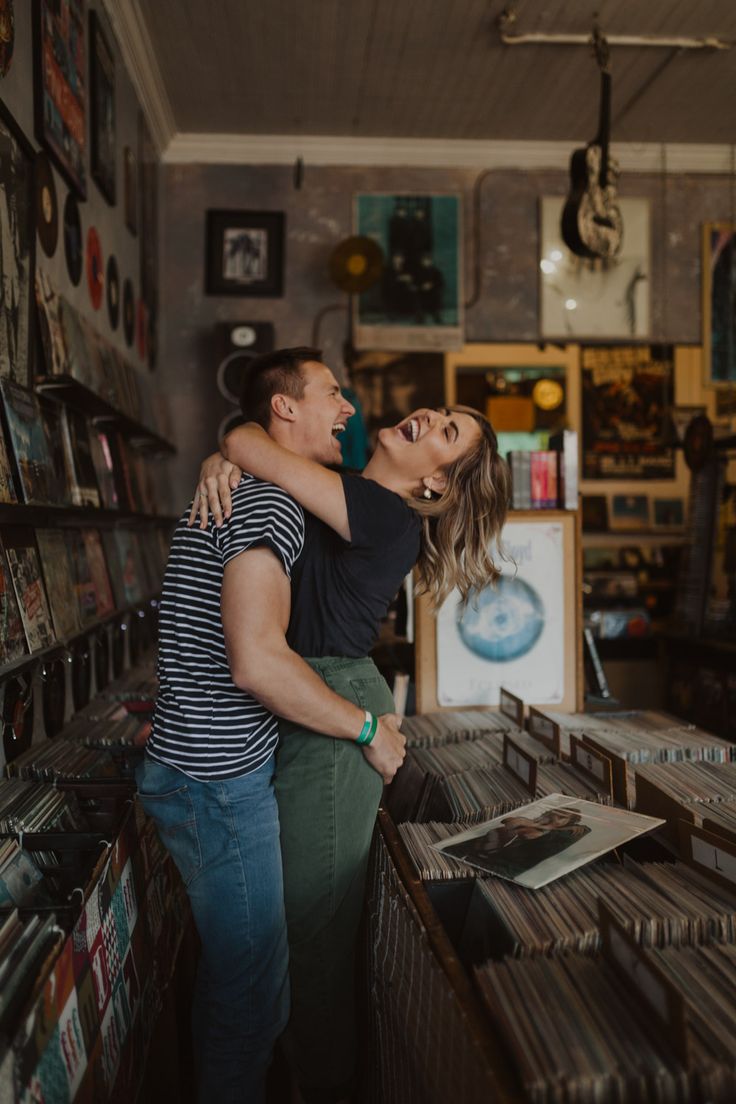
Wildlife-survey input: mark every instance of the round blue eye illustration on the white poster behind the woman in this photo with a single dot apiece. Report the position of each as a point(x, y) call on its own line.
point(503, 623)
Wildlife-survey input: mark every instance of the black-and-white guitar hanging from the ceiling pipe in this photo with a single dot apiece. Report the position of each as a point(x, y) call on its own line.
point(592, 225)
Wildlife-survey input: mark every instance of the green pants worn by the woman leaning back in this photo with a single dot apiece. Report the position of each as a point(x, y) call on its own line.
point(328, 798)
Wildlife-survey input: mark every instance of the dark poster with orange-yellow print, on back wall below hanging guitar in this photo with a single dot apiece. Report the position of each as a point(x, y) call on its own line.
point(628, 394)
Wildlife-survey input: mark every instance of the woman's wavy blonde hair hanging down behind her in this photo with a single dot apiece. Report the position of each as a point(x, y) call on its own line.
point(462, 528)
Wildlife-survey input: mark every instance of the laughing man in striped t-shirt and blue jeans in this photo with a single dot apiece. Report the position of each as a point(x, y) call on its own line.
point(225, 670)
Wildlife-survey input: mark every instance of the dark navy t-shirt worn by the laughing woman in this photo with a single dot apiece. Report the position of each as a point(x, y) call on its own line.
point(342, 590)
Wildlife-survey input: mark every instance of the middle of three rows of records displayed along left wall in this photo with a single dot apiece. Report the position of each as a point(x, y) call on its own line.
point(51, 454)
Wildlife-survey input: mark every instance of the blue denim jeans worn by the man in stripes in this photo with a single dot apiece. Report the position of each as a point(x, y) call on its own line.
point(225, 838)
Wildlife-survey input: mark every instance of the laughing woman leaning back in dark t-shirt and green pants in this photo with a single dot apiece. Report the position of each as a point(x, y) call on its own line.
point(435, 494)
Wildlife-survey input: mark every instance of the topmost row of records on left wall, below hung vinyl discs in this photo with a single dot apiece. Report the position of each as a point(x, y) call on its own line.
point(81, 367)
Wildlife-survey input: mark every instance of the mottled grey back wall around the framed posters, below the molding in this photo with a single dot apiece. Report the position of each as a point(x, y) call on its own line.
point(319, 216)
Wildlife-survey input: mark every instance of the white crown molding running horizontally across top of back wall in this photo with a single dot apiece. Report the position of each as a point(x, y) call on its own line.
point(433, 153)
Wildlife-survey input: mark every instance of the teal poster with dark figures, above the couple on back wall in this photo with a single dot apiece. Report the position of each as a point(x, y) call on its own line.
point(418, 304)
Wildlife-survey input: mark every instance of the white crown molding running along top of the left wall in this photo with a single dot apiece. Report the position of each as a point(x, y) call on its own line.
point(143, 68)
